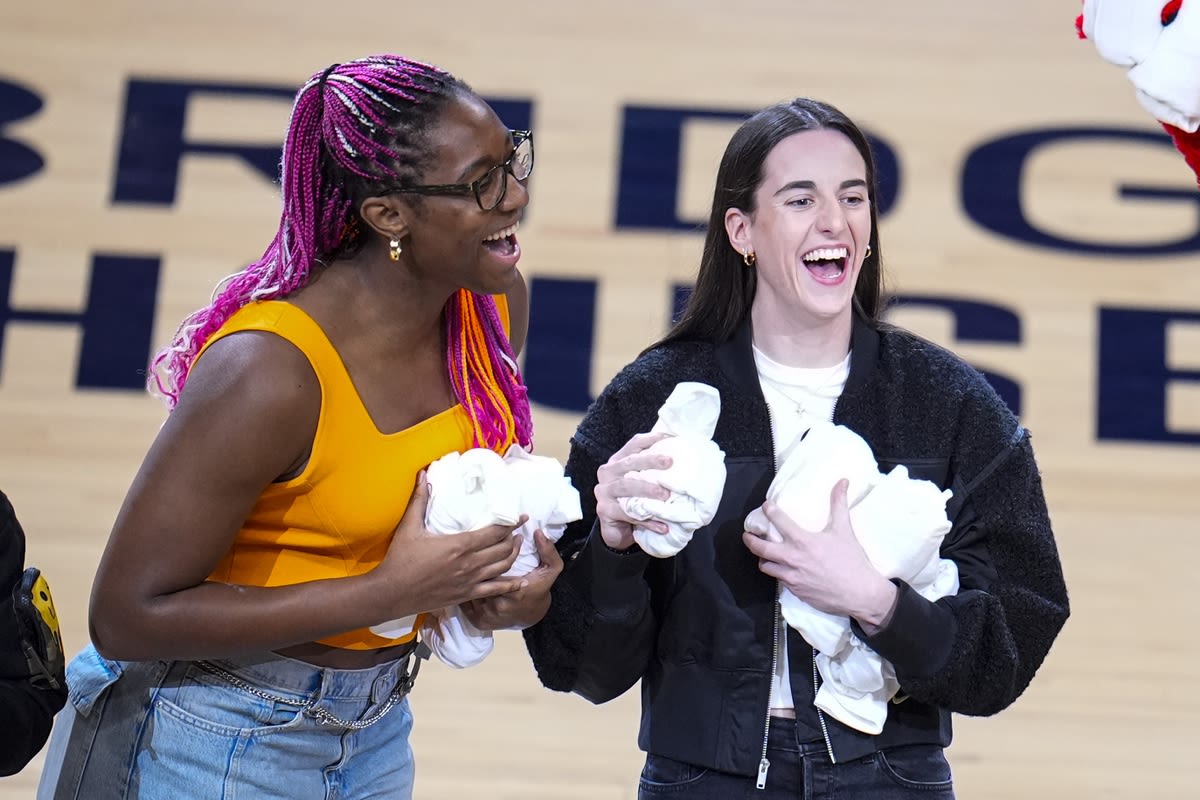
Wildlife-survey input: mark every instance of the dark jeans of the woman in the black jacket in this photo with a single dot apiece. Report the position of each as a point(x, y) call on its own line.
point(803, 772)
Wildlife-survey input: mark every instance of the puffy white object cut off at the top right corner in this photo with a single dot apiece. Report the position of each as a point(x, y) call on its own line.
point(1163, 63)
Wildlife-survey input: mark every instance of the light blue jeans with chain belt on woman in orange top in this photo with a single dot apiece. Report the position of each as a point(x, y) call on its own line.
point(259, 726)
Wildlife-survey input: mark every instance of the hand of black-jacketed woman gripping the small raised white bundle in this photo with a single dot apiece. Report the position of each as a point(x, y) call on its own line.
point(615, 483)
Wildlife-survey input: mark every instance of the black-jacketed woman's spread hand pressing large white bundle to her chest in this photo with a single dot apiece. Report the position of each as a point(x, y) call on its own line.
point(829, 568)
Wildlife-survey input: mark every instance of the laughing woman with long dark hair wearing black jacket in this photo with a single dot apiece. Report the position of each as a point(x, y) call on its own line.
point(785, 323)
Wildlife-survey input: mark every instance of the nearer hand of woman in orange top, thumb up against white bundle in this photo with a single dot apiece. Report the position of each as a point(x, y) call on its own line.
point(425, 572)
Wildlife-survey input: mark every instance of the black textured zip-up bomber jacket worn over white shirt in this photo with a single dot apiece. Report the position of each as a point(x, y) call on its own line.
point(697, 629)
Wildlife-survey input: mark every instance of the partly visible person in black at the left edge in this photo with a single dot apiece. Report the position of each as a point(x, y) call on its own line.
point(33, 687)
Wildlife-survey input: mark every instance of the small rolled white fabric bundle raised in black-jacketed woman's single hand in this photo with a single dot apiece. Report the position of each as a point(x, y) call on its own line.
point(697, 477)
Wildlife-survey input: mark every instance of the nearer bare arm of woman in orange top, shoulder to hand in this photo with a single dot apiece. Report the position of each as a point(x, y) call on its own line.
point(247, 417)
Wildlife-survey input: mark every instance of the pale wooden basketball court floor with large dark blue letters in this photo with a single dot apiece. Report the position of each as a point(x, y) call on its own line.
point(1112, 714)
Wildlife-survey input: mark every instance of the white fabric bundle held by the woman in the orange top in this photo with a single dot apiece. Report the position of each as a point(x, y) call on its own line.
point(476, 490)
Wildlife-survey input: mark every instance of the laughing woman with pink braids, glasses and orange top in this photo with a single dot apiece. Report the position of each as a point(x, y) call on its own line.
point(279, 514)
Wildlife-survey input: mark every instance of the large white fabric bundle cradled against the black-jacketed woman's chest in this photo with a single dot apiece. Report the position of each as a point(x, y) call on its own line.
point(901, 524)
